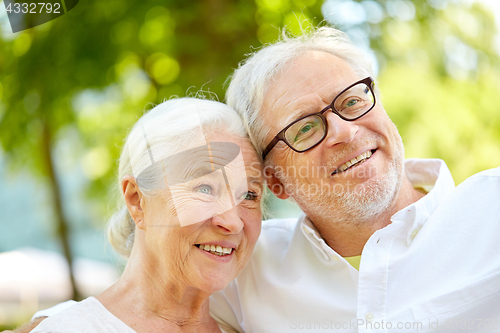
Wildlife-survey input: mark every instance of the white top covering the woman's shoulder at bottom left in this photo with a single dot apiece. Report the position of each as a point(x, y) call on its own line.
point(87, 316)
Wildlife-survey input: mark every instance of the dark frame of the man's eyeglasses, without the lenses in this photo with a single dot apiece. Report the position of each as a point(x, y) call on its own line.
point(370, 83)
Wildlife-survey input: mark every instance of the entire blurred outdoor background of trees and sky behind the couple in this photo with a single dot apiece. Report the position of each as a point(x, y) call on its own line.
point(71, 88)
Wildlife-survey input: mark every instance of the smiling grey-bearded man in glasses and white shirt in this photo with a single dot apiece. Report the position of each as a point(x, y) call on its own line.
point(384, 245)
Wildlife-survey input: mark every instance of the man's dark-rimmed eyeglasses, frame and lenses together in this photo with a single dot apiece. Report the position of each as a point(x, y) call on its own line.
point(308, 131)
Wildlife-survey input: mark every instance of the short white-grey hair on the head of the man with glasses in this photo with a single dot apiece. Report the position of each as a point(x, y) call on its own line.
point(249, 83)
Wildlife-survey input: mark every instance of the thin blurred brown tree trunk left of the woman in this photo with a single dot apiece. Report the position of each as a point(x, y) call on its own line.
point(63, 229)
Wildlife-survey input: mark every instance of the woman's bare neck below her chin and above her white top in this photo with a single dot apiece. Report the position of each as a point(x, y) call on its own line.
point(147, 301)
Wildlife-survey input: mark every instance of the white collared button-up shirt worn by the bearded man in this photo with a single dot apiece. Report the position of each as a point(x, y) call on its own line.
point(435, 268)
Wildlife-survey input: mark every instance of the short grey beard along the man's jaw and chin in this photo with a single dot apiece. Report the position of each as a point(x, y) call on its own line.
point(357, 205)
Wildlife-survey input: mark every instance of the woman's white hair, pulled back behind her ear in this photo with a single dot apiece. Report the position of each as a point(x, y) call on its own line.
point(170, 127)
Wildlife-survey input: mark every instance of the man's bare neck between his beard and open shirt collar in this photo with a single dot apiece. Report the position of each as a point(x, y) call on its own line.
point(348, 236)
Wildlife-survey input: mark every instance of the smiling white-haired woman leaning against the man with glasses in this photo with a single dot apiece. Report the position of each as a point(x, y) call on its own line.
point(191, 185)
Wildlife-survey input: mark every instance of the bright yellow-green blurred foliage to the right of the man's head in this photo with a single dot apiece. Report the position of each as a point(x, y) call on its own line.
point(439, 76)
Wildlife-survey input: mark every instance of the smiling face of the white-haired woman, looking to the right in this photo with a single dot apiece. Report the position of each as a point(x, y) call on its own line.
point(201, 231)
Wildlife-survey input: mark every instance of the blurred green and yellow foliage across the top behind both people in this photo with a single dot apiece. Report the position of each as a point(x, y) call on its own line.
point(97, 68)
